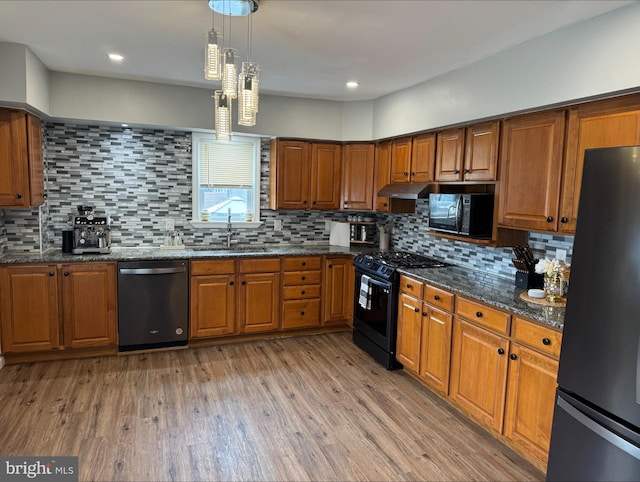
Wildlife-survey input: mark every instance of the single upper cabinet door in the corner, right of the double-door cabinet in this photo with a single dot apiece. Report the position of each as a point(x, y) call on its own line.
point(357, 180)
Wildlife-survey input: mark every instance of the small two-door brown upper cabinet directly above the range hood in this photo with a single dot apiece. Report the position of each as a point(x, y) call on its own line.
point(412, 158)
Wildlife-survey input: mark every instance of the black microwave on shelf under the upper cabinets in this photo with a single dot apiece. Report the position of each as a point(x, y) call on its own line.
point(462, 214)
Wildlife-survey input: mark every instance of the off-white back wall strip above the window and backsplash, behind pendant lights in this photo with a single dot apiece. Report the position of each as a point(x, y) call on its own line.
point(101, 99)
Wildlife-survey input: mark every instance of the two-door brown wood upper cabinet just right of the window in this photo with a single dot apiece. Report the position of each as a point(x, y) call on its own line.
point(305, 175)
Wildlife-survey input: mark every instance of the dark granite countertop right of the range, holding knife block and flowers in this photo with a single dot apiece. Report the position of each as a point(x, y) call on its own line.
point(491, 290)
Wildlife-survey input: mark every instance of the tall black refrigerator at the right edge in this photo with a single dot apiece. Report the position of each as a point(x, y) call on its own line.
point(596, 423)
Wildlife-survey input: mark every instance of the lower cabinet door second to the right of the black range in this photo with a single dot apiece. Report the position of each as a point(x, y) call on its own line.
point(435, 352)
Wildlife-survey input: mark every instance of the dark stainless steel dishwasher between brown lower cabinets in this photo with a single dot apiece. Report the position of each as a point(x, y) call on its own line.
point(153, 304)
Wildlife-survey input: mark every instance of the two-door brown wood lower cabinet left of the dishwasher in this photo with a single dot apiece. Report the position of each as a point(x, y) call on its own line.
point(44, 307)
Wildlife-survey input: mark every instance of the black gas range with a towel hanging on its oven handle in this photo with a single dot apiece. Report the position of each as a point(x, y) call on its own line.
point(375, 320)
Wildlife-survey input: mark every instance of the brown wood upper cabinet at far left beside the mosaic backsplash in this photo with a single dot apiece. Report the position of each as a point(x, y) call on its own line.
point(21, 162)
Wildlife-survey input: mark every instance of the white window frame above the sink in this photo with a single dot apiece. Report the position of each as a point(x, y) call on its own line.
point(195, 221)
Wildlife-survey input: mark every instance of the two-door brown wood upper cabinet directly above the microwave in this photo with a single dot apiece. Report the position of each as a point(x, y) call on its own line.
point(469, 154)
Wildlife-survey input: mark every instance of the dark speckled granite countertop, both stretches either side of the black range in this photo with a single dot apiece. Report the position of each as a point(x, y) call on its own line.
point(492, 290)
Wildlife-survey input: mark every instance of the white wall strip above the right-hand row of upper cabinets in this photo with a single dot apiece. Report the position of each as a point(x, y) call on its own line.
point(591, 58)
